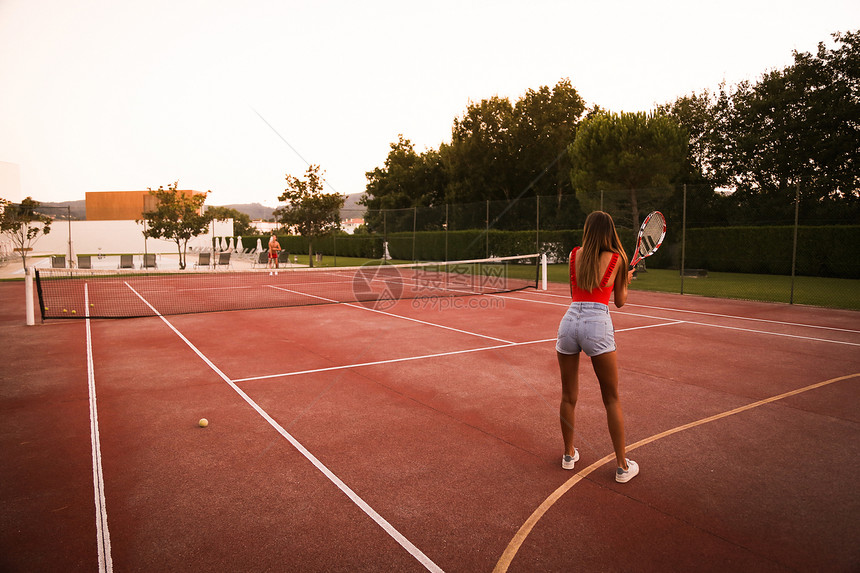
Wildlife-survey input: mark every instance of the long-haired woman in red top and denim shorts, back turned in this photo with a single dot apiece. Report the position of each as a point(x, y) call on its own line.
point(598, 269)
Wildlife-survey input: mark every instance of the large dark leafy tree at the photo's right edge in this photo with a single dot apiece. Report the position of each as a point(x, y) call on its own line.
point(794, 127)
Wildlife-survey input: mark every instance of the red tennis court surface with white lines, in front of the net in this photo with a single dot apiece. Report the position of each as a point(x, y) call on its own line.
point(346, 439)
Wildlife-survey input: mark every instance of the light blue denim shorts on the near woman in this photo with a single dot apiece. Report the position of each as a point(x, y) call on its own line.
point(586, 327)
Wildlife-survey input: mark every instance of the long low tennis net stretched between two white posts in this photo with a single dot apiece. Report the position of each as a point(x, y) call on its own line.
point(101, 293)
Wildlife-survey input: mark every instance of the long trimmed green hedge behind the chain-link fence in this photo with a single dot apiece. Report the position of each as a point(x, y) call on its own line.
point(821, 251)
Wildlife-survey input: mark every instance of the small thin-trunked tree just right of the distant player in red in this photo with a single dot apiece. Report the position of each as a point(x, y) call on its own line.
point(308, 210)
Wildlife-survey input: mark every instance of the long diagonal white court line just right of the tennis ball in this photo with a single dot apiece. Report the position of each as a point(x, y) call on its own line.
point(356, 499)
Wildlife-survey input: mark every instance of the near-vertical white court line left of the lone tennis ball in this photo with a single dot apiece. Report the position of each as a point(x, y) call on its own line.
point(102, 533)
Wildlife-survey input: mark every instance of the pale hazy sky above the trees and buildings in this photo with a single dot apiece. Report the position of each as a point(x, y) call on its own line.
point(115, 95)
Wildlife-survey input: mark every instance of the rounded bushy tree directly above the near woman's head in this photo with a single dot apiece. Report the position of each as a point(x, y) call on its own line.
point(627, 152)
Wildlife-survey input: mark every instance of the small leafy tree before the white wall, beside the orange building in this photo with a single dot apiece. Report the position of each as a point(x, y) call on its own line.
point(178, 217)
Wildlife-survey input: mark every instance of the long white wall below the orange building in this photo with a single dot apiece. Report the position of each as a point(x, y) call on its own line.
point(88, 237)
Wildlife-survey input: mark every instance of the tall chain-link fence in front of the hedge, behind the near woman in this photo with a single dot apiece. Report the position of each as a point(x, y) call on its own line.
point(790, 250)
